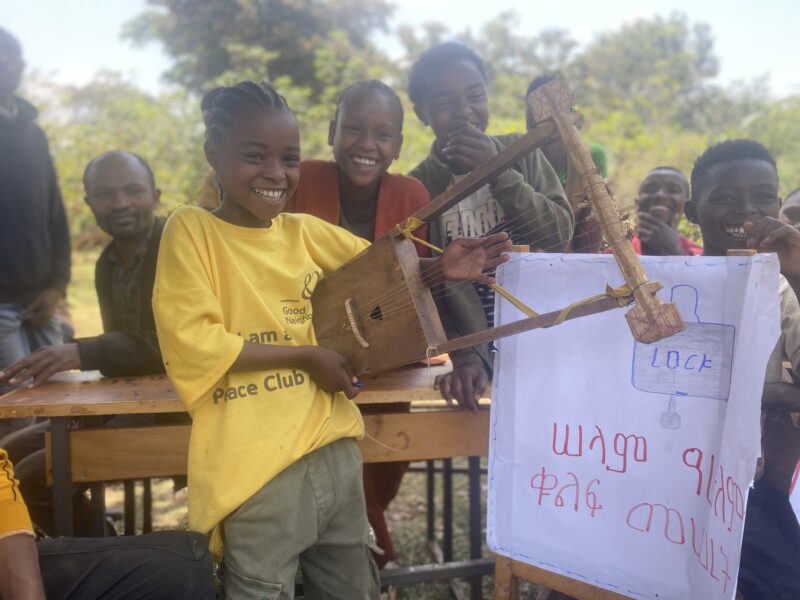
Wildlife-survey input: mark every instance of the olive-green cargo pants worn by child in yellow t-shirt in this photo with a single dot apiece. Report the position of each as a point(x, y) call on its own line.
point(312, 514)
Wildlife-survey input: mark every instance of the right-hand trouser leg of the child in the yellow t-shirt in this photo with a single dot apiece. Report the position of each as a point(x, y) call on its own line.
point(340, 565)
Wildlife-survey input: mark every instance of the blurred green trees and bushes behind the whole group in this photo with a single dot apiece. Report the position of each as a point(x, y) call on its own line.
point(647, 89)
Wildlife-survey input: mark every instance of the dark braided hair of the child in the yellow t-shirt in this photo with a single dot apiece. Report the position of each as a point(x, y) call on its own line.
point(221, 105)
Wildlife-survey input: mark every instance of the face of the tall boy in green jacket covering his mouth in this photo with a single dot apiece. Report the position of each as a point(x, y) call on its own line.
point(454, 99)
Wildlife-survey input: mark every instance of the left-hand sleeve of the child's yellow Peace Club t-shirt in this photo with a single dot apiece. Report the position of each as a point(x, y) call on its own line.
point(196, 347)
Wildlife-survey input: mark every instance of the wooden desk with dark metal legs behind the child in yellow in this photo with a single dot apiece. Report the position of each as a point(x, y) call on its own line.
point(81, 454)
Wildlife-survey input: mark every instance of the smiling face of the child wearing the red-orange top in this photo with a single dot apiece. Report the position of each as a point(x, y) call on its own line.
point(366, 137)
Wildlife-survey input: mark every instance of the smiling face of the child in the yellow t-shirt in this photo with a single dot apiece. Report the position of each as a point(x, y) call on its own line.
point(257, 161)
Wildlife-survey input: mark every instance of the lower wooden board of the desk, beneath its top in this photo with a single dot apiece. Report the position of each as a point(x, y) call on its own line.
point(135, 453)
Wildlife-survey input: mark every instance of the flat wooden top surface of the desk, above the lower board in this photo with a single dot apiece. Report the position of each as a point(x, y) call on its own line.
point(83, 394)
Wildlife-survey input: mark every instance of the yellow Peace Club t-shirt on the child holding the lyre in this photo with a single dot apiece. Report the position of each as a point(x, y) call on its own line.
point(218, 284)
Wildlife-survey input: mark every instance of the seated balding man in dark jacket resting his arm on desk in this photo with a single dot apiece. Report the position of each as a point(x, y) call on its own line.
point(121, 191)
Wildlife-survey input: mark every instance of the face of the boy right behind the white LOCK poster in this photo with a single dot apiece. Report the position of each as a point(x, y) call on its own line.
point(732, 194)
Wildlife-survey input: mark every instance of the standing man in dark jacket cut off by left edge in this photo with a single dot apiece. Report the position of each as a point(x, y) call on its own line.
point(34, 237)
